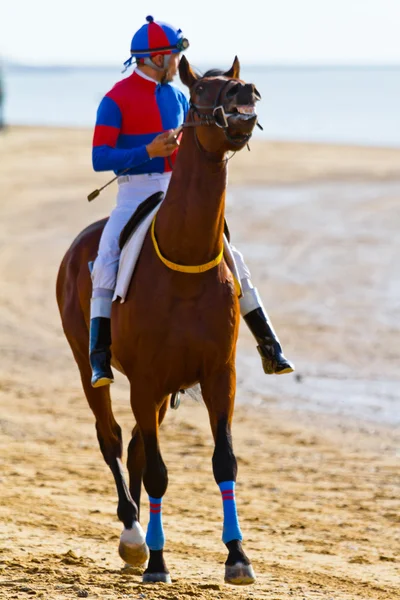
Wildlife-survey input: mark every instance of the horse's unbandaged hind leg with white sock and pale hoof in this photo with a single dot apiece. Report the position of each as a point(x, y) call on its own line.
point(132, 548)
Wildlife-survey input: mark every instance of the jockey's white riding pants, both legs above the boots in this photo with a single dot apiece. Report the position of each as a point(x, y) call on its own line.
point(132, 191)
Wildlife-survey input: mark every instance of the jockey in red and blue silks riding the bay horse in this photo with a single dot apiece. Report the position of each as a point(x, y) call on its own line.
point(133, 124)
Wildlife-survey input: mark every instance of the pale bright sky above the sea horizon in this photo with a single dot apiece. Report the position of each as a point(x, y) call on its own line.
point(98, 32)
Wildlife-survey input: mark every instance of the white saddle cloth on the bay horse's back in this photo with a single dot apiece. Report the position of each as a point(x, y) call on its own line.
point(131, 252)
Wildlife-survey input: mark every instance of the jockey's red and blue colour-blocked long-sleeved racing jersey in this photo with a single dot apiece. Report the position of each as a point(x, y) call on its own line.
point(129, 117)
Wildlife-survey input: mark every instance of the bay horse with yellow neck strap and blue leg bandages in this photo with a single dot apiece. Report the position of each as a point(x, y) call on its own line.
point(175, 329)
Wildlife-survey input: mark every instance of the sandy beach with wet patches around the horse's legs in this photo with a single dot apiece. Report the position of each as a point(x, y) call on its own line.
point(318, 451)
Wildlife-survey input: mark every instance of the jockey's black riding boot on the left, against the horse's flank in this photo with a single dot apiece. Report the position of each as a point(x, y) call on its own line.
point(100, 354)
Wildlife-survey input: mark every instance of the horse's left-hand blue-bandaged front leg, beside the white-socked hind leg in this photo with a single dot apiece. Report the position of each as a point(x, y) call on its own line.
point(148, 416)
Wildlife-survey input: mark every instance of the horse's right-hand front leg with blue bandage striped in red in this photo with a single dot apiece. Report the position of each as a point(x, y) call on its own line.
point(219, 394)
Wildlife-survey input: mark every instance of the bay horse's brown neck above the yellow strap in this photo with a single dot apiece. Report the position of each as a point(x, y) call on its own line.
point(190, 222)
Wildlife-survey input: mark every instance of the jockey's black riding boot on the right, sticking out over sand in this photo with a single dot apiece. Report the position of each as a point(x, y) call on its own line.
point(269, 348)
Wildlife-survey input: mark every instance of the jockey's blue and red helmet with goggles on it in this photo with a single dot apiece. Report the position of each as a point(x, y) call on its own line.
point(156, 38)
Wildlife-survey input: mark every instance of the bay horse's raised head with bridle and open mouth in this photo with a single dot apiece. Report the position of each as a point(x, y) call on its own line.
point(224, 104)
